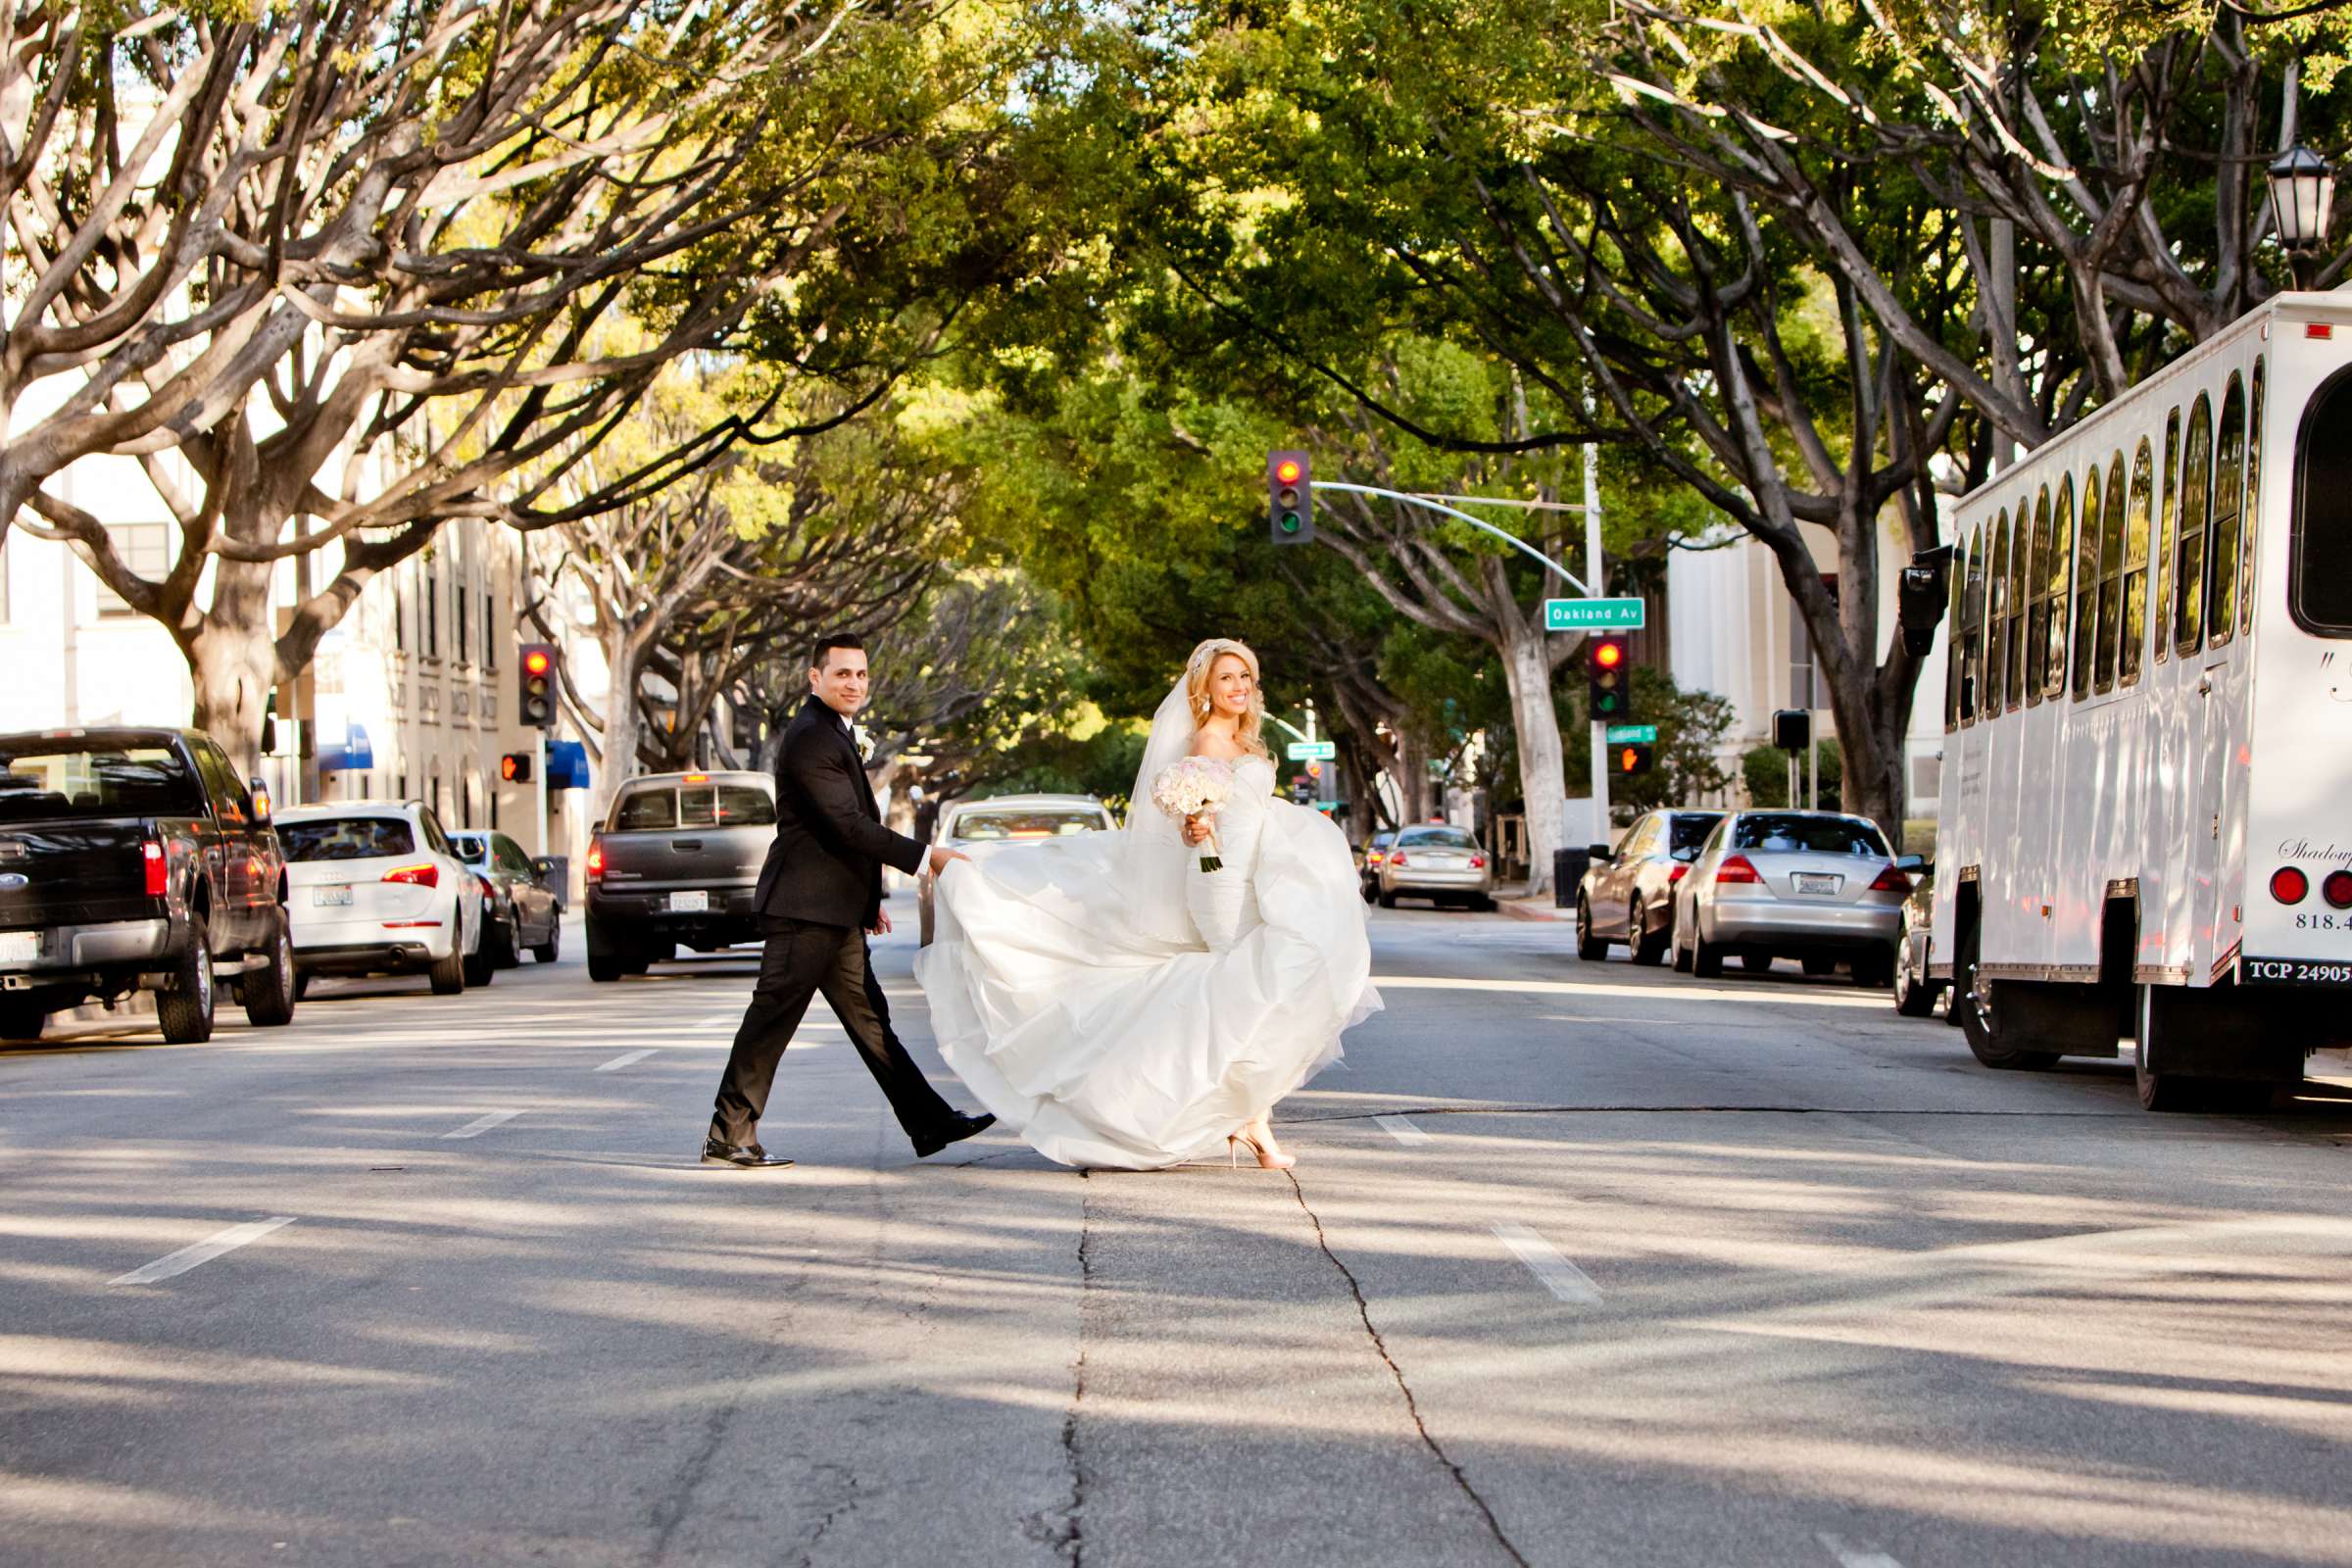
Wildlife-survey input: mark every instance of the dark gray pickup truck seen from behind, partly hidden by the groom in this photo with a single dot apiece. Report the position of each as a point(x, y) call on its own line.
point(676, 864)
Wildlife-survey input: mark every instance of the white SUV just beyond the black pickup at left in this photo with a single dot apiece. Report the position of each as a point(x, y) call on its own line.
point(377, 890)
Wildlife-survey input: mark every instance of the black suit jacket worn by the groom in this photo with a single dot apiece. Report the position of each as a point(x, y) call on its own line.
point(831, 845)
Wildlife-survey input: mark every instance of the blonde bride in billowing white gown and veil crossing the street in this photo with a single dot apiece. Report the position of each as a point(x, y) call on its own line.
point(1125, 1007)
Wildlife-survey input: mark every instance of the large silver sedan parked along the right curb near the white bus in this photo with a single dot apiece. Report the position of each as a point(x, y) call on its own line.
point(1808, 885)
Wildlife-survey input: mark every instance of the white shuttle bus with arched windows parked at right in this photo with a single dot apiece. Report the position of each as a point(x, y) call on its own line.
point(2146, 829)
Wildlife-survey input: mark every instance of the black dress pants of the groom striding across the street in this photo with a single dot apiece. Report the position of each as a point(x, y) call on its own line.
point(801, 960)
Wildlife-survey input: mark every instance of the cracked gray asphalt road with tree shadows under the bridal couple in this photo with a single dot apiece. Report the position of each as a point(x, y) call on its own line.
point(1582, 1266)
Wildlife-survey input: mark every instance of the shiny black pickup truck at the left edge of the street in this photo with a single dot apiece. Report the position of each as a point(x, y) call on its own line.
point(133, 859)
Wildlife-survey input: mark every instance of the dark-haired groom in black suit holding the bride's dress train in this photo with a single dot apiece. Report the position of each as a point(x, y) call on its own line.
point(820, 897)
